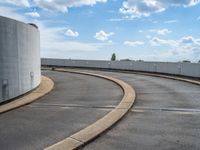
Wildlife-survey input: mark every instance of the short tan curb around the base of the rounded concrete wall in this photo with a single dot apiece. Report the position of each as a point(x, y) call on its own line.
point(44, 88)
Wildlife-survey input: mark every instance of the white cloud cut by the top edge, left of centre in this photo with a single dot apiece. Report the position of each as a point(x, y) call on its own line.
point(63, 5)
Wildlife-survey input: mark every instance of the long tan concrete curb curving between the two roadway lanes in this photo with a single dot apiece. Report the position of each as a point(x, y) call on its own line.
point(92, 131)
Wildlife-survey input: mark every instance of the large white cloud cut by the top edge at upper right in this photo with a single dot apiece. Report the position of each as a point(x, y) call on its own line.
point(140, 8)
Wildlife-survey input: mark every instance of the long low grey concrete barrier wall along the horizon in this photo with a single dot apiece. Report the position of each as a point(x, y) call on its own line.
point(184, 69)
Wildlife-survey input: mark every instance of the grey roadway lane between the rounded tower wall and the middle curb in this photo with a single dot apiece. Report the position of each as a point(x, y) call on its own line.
point(75, 102)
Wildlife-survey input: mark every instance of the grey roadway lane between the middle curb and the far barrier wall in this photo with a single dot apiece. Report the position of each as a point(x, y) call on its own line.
point(166, 115)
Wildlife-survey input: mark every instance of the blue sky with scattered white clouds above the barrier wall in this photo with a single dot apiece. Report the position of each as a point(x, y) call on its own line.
point(151, 30)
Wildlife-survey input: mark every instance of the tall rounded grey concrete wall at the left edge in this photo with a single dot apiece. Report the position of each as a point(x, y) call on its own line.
point(19, 58)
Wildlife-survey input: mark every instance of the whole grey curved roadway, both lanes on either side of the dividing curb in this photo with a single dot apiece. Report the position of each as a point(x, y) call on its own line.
point(166, 114)
